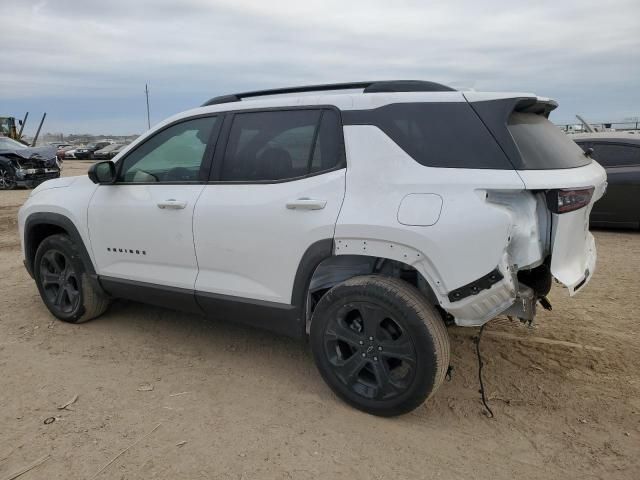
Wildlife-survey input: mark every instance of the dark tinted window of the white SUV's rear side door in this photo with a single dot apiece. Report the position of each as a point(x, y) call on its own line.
point(281, 144)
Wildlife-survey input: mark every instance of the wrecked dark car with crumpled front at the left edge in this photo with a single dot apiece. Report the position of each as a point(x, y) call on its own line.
point(26, 166)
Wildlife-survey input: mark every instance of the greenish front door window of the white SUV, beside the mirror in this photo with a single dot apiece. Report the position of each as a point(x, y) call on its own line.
point(173, 155)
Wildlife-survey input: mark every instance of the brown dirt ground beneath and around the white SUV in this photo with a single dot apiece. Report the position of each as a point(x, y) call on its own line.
point(232, 402)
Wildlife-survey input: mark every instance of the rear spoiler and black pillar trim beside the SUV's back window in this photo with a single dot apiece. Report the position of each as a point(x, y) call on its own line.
point(494, 113)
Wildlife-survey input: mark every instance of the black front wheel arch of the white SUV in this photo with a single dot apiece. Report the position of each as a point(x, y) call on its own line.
point(40, 225)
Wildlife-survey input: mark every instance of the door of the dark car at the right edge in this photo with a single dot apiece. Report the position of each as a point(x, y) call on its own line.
point(619, 204)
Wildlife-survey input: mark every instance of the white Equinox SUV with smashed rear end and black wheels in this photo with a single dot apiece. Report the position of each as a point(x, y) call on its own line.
point(365, 215)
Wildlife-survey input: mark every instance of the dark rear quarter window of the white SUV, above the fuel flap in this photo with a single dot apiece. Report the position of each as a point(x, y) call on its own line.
point(436, 134)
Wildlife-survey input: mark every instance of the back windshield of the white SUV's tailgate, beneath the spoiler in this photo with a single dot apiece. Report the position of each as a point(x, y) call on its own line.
point(542, 145)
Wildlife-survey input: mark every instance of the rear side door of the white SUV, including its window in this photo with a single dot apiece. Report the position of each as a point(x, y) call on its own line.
point(277, 187)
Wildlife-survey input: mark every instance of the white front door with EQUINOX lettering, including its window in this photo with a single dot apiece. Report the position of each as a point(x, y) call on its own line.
point(141, 226)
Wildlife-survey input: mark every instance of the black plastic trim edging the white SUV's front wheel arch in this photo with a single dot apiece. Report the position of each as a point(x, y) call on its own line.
point(58, 220)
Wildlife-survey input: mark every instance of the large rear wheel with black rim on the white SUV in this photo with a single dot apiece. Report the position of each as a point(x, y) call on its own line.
point(379, 344)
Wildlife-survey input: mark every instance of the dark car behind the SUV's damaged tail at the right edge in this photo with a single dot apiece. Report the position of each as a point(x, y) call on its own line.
point(619, 154)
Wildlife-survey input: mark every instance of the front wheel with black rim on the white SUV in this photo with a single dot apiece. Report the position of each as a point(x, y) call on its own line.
point(66, 289)
